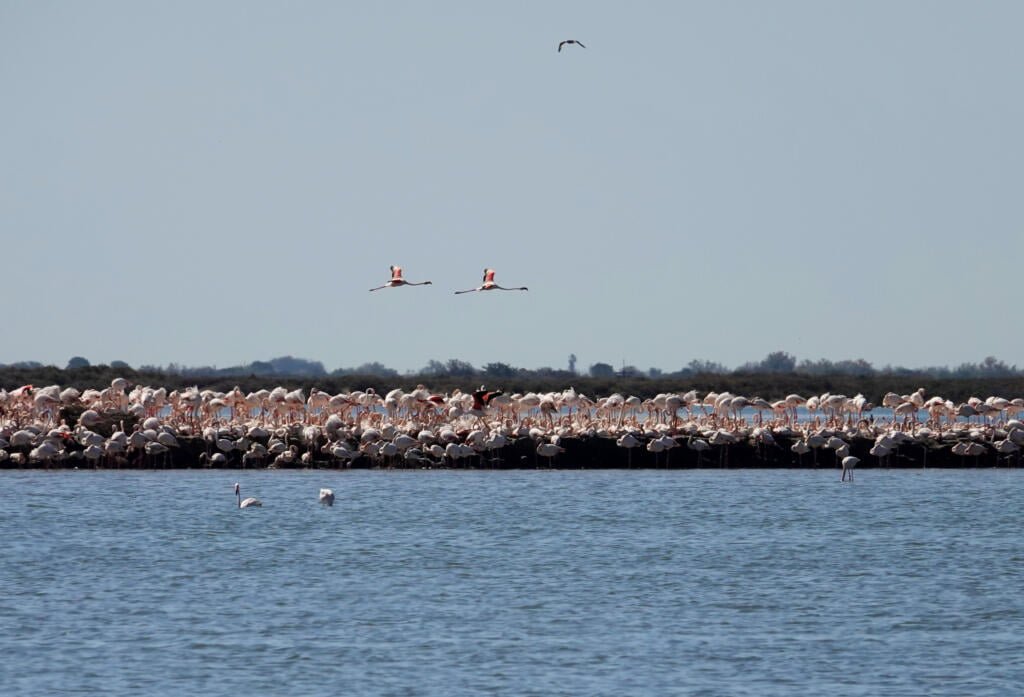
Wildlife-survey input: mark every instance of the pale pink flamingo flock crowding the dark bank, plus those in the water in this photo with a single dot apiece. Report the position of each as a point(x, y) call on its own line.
point(422, 429)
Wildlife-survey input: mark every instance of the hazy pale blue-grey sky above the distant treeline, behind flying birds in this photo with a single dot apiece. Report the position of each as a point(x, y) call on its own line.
point(222, 183)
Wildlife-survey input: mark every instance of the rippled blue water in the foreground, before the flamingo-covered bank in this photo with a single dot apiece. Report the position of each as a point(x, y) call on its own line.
point(612, 583)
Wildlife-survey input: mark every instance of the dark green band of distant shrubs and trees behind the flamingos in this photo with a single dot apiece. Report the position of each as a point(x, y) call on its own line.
point(775, 377)
